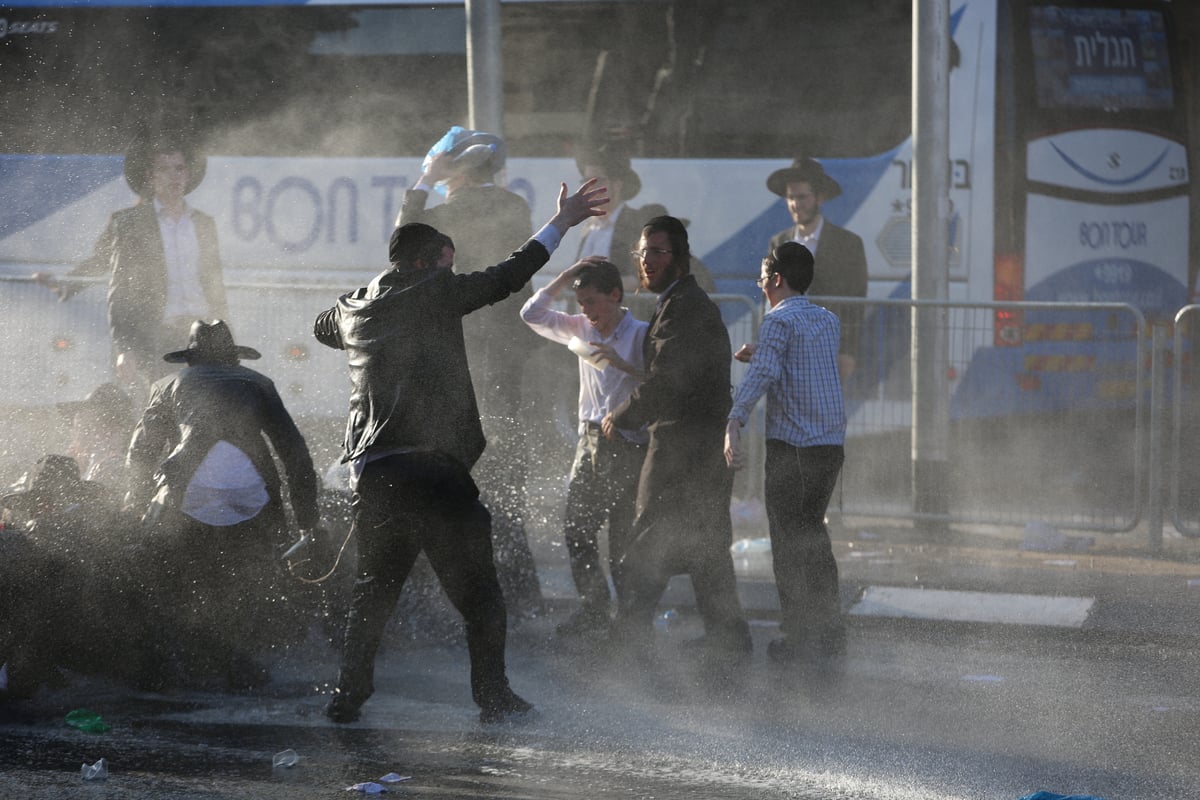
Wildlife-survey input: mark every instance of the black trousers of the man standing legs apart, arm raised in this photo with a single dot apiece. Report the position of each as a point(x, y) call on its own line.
point(406, 504)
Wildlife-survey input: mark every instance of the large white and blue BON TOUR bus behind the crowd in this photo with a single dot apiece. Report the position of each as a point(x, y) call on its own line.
point(1069, 143)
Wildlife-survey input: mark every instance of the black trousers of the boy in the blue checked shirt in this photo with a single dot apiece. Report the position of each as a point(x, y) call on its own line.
point(800, 483)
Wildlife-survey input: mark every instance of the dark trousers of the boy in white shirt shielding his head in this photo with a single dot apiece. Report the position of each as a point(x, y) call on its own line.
point(603, 489)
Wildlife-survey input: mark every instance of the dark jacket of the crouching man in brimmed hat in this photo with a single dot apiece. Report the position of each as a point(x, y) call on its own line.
point(202, 405)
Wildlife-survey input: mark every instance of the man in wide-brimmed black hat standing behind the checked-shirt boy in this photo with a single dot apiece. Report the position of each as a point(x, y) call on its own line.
point(841, 269)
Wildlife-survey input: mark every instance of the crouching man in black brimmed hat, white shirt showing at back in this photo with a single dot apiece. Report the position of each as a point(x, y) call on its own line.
point(217, 498)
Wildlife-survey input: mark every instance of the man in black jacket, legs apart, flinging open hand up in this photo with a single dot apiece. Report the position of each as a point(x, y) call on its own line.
point(413, 437)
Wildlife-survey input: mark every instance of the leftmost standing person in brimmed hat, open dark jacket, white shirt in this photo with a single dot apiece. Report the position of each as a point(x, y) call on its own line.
point(161, 256)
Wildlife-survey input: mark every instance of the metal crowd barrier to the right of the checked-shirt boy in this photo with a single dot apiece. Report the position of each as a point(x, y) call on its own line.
point(1047, 413)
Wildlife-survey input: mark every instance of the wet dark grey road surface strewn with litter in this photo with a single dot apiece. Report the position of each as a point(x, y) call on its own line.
point(1097, 695)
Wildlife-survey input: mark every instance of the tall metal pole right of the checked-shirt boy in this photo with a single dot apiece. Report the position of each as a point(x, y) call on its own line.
point(931, 267)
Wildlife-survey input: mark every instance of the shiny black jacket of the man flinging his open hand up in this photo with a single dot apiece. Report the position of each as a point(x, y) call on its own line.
point(403, 334)
